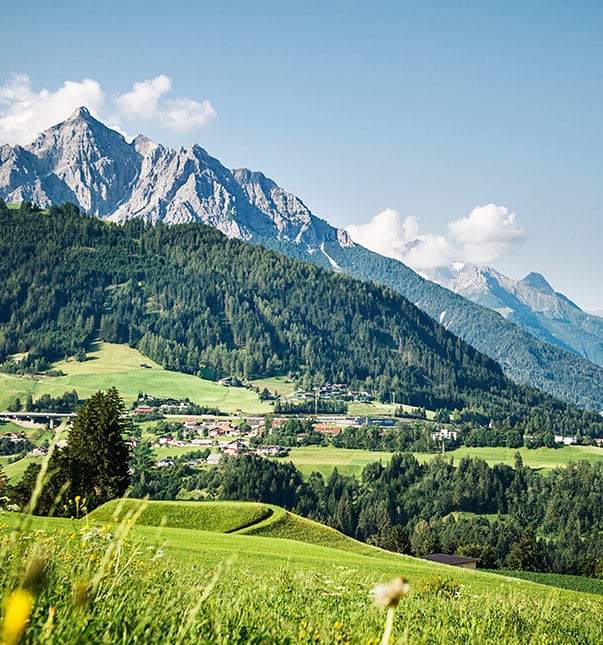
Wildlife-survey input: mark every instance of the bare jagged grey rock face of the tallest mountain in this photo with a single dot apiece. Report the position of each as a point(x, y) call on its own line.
point(83, 161)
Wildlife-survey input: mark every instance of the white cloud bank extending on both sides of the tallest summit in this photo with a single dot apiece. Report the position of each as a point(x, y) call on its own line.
point(25, 112)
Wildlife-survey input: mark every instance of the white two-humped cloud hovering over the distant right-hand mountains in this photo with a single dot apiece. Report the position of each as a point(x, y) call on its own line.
point(482, 237)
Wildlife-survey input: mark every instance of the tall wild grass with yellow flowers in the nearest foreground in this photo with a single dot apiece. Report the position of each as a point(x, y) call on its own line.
point(106, 583)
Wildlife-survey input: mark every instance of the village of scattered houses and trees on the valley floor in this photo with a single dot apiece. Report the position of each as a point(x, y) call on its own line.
point(175, 427)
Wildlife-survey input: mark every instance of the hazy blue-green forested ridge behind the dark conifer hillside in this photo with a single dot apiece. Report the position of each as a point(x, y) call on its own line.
point(523, 357)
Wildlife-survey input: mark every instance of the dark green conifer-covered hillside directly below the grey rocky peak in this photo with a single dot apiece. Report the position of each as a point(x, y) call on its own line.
point(199, 302)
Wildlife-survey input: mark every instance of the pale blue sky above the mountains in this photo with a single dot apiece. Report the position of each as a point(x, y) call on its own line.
point(426, 109)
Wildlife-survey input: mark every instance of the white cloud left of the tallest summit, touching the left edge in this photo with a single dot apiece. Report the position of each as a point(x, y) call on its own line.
point(24, 113)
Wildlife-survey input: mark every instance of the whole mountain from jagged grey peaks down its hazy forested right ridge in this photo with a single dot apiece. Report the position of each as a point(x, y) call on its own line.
point(84, 162)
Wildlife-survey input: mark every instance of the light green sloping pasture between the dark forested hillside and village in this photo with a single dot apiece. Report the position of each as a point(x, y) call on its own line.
point(110, 365)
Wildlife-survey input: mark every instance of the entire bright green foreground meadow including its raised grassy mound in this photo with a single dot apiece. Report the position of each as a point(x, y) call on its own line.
point(162, 574)
